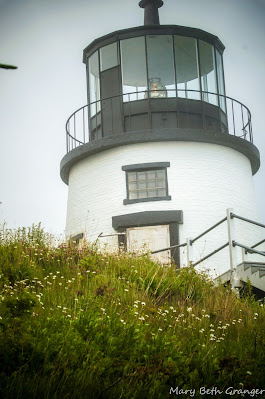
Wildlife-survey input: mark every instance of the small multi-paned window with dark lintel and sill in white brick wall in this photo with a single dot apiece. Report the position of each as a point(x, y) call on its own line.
point(146, 182)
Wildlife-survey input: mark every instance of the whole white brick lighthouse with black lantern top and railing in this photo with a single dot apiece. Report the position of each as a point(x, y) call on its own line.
point(159, 152)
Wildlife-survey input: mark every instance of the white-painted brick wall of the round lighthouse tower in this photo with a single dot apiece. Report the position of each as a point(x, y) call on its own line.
point(203, 179)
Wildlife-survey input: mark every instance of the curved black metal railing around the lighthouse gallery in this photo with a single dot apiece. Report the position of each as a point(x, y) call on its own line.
point(189, 109)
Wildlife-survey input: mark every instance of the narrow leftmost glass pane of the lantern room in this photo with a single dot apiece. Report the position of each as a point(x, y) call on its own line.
point(94, 84)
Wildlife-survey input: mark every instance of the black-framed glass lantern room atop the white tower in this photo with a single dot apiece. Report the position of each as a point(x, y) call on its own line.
point(155, 76)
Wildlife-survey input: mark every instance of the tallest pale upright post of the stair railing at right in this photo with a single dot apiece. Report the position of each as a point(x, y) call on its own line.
point(235, 283)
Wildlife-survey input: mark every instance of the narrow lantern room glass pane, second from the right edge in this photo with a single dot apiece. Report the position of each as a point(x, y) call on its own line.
point(208, 73)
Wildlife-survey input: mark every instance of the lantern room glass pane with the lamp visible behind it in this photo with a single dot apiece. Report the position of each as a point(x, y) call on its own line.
point(161, 76)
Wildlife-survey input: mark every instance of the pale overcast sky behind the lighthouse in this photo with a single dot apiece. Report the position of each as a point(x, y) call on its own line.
point(46, 38)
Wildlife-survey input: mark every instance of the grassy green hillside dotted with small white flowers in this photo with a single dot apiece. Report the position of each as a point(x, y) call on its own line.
point(82, 323)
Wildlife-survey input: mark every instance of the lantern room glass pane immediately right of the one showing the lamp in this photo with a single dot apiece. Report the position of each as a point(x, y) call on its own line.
point(186, 60)
